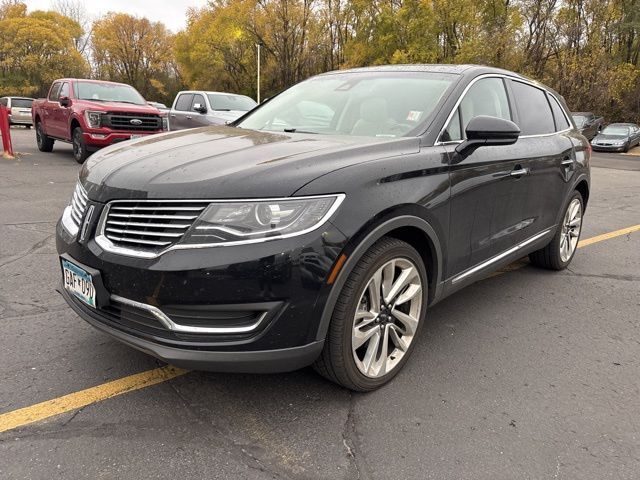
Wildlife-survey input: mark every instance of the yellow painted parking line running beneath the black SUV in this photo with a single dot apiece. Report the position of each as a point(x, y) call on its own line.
point(76, 400)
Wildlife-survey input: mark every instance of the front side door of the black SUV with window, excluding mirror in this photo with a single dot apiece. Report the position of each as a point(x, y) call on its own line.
point(487, 197)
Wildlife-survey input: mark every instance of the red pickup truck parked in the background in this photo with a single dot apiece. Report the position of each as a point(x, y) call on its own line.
point(92, 114)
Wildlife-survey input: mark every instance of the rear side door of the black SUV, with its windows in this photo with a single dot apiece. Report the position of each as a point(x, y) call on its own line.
point(546, 150)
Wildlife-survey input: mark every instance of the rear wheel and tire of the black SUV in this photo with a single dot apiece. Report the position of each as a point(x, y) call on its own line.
point(557, 255)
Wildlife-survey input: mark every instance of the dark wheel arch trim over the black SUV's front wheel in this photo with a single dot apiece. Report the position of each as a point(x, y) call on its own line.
point(412, 229)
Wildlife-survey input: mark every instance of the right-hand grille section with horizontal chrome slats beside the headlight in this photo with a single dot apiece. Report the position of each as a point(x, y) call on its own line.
point(150, 225)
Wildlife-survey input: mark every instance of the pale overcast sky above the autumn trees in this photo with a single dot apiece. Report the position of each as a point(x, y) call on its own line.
point(170, 12)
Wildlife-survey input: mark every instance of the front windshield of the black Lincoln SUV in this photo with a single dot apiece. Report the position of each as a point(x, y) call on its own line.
point(374, 104)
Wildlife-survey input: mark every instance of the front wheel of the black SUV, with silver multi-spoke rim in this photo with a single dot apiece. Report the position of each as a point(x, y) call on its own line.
point(377, 317)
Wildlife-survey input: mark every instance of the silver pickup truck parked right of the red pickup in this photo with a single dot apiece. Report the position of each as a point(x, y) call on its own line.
point(198, 108)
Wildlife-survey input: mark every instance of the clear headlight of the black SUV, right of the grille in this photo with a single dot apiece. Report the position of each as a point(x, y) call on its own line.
point(249, 221)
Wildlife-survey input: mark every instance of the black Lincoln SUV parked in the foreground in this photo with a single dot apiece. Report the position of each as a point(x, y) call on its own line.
point(319, 227)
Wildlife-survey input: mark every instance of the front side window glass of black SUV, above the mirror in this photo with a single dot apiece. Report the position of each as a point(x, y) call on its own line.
point(486, 97)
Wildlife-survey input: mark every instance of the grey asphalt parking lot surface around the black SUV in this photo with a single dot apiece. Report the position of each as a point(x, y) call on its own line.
point(526, 374)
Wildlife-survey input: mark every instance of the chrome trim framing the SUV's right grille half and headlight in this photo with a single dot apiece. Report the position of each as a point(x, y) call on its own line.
point(106, 244)
